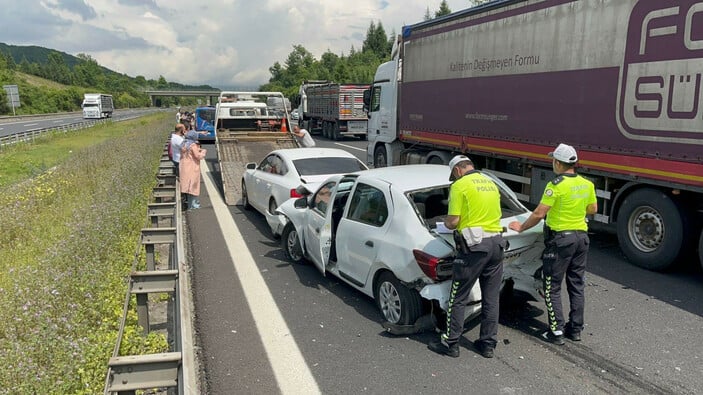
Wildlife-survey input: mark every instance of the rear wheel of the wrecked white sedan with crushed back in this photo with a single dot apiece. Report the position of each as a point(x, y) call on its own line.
point(397, 303)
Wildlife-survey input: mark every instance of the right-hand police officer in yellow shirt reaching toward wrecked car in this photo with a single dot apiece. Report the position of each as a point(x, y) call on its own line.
point(566, 201)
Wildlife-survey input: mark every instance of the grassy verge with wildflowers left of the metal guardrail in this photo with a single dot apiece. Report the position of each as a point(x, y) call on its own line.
point(68, 241)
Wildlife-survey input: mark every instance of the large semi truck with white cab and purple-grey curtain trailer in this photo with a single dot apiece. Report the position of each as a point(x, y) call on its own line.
point(507, 81)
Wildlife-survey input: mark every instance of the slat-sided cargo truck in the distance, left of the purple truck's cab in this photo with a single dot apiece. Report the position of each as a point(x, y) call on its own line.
point(332, 109)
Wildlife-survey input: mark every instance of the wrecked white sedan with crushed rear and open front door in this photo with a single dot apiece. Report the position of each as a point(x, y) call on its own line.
point(377, 230)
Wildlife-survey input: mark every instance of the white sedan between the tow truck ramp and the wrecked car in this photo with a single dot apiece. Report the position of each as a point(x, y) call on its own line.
point(273, 181)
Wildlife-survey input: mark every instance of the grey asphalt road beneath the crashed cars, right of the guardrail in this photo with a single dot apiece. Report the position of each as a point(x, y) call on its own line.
point(266, 326)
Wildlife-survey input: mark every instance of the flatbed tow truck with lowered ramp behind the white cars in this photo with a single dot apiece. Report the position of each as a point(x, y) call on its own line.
point(248, 125)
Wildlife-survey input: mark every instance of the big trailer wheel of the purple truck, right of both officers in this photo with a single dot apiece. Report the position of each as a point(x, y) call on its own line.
point(650, 229)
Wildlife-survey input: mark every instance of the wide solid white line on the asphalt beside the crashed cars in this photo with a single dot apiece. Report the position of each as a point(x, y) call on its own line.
point(292, 373)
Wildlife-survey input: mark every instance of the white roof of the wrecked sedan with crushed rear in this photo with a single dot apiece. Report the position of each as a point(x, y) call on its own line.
point(410, 177)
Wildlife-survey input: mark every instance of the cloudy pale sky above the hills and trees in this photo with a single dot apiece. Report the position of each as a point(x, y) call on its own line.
point(222, 43)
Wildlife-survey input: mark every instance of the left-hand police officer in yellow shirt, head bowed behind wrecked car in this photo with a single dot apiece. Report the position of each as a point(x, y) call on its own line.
point(474, 212)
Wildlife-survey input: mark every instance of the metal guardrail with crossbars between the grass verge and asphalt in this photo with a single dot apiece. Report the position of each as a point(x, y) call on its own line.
point(127, 374)
